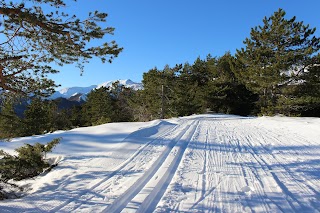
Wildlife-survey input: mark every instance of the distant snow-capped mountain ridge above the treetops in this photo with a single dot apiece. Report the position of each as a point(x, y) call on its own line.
point(81, 92)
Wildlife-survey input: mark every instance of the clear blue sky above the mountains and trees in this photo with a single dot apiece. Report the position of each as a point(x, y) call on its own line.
point(154, 33)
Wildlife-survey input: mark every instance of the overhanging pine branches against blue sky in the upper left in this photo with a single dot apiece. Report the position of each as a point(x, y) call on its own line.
point(35, 38)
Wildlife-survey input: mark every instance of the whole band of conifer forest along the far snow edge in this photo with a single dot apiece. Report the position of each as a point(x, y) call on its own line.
point(276, 72)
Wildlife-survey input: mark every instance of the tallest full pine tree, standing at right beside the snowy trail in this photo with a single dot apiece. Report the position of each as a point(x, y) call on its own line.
point(275, 57)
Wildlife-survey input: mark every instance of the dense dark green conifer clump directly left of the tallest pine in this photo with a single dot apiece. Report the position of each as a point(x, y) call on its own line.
point(188, 89)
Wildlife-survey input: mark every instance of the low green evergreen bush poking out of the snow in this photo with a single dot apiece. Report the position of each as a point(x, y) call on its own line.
point(29, 162)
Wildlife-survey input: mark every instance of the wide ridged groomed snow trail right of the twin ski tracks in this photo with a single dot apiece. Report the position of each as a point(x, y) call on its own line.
point(236, 165)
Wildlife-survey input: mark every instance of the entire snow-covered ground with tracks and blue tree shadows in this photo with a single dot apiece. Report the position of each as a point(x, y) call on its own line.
point(203, 163)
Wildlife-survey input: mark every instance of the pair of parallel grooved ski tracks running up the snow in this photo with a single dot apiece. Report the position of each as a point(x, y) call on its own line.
point(176, 145)
